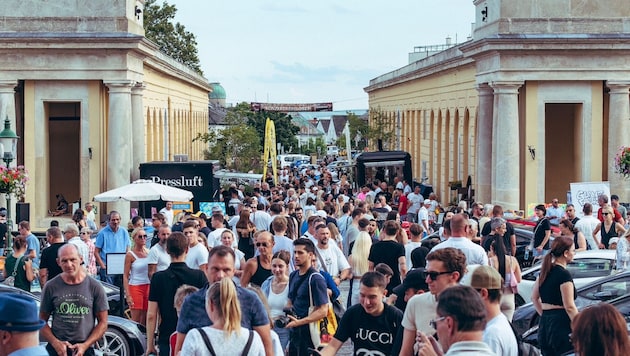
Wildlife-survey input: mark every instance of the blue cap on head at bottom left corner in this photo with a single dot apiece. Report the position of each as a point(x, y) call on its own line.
point(19, 313)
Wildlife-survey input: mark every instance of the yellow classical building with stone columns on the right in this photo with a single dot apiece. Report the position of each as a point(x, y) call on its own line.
point(537, 99)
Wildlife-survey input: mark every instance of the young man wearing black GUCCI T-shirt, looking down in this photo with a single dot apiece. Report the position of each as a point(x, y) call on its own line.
point(372, 324)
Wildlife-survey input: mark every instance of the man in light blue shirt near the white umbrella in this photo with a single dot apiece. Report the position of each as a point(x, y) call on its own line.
point(111, 239)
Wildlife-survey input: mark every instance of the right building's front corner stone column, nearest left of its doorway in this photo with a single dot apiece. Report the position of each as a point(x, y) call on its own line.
point(506, 164)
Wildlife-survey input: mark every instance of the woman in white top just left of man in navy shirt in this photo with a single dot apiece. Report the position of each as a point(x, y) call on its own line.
point(276, 289)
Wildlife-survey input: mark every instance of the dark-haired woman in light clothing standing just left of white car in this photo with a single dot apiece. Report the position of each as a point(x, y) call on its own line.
point(508, 268)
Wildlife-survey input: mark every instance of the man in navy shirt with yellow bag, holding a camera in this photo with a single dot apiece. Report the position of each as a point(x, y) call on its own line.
point(300, 294)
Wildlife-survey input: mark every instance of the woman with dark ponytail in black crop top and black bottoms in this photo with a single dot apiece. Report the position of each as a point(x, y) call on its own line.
point(554, 296)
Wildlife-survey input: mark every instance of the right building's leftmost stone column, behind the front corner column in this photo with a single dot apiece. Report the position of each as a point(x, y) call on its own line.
point(483, 167)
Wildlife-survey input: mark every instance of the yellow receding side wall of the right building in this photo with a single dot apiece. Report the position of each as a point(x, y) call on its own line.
point(441, 105)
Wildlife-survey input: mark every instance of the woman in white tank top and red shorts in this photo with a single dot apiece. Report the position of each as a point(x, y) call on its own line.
point(136, 276)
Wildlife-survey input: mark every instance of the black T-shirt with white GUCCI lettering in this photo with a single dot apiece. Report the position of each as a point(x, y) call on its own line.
point(370, 333)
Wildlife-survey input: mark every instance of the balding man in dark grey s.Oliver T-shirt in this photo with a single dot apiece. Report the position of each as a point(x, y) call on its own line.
point(76, 303)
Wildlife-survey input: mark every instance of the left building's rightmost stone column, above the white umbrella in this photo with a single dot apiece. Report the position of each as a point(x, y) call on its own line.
point(138, 138)
